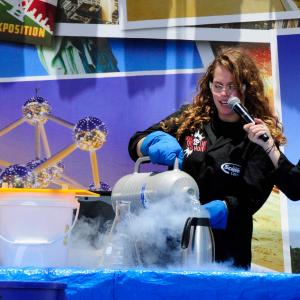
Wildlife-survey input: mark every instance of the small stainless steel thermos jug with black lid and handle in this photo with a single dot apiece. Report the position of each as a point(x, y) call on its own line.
point(197, 242)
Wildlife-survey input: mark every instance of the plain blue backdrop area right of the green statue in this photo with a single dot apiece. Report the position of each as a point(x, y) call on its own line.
point(131, 54)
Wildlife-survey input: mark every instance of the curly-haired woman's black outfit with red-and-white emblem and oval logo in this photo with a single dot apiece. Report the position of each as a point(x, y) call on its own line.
point(226, 165)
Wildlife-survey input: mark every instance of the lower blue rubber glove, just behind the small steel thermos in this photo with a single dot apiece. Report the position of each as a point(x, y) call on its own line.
point(218, 214)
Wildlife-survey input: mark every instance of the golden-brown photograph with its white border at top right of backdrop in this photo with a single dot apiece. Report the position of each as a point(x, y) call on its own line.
point(146, 13)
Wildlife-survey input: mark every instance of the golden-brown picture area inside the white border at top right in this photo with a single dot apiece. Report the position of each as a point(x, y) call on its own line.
point(139, 10)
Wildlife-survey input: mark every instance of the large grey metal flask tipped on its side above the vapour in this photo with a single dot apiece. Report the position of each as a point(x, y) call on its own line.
point(144, 189)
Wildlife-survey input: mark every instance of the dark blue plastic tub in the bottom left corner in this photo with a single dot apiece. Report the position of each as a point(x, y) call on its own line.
point(27, 290)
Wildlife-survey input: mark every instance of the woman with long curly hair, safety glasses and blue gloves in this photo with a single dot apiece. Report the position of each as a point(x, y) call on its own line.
point(208, 138)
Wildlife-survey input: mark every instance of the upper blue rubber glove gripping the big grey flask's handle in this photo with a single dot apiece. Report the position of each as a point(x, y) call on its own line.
point(162, 148)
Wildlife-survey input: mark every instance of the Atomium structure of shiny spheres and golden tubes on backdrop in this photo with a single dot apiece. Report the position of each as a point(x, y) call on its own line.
point(89, 134)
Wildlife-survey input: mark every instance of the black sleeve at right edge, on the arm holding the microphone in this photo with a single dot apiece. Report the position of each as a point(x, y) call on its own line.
point(287, 178)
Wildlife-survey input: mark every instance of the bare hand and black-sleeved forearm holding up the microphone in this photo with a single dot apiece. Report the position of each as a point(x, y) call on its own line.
point(287, 175)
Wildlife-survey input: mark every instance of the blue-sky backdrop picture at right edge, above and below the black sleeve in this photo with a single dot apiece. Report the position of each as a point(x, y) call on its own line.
point(289, 70)
